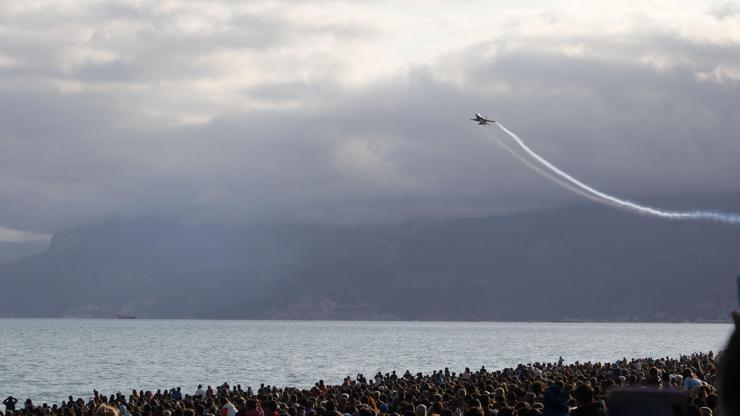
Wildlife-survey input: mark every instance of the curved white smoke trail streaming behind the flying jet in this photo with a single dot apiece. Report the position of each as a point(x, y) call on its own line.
point(724, 217)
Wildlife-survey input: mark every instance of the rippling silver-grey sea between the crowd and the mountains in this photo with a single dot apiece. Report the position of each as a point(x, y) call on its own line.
point(47, 360)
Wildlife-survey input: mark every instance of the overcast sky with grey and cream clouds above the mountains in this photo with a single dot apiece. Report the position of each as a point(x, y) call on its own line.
point(355, 112)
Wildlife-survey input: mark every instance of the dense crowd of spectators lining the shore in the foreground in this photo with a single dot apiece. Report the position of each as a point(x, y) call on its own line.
point(580, 388)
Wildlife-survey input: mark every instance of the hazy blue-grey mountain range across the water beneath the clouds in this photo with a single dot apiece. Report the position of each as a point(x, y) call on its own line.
point(579, 262)
